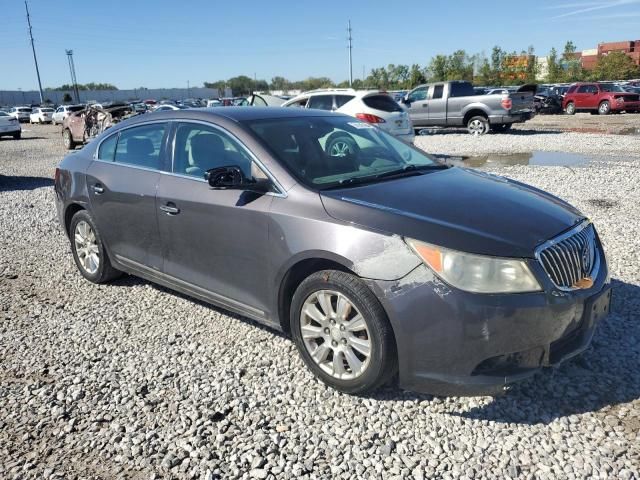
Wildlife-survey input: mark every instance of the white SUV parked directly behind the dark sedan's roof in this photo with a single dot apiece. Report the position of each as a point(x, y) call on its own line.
point(371, 106)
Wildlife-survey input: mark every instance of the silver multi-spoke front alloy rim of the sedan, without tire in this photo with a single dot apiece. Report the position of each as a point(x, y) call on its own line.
point(335, 334)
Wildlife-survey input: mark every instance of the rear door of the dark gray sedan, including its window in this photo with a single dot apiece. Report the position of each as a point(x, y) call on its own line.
point(122, 185)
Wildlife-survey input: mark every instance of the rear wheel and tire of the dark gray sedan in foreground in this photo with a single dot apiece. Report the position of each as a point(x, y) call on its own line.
point(86, 245)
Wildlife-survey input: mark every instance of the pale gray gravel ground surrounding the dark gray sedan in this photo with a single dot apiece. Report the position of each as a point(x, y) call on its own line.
point(129, 380)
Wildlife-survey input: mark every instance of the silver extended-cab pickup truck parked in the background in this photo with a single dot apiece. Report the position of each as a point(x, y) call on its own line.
point(455, 104)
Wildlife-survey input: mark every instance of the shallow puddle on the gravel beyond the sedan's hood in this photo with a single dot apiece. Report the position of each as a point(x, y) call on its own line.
point(532, 158)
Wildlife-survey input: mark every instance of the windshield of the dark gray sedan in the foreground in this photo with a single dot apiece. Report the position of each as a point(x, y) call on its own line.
point(328, 152)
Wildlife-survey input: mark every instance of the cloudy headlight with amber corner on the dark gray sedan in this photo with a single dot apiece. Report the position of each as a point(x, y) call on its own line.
point(477, 273)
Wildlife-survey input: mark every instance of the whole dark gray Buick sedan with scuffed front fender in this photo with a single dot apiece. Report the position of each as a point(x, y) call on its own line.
point(365, 257)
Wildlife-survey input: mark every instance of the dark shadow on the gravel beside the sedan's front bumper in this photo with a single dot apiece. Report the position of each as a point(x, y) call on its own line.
point(605, 375)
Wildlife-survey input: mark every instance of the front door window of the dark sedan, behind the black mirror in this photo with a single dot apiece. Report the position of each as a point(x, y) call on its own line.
point(199, 148)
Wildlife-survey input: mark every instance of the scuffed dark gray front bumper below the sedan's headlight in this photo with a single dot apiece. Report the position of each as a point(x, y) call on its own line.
point(452, 342)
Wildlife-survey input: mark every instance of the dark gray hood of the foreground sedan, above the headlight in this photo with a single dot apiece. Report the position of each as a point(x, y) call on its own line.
point(457, 208)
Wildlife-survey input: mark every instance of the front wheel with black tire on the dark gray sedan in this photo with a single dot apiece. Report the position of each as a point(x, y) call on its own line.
point(342, 332)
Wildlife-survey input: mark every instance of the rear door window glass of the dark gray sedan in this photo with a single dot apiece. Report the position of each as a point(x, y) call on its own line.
point(141, 146)
